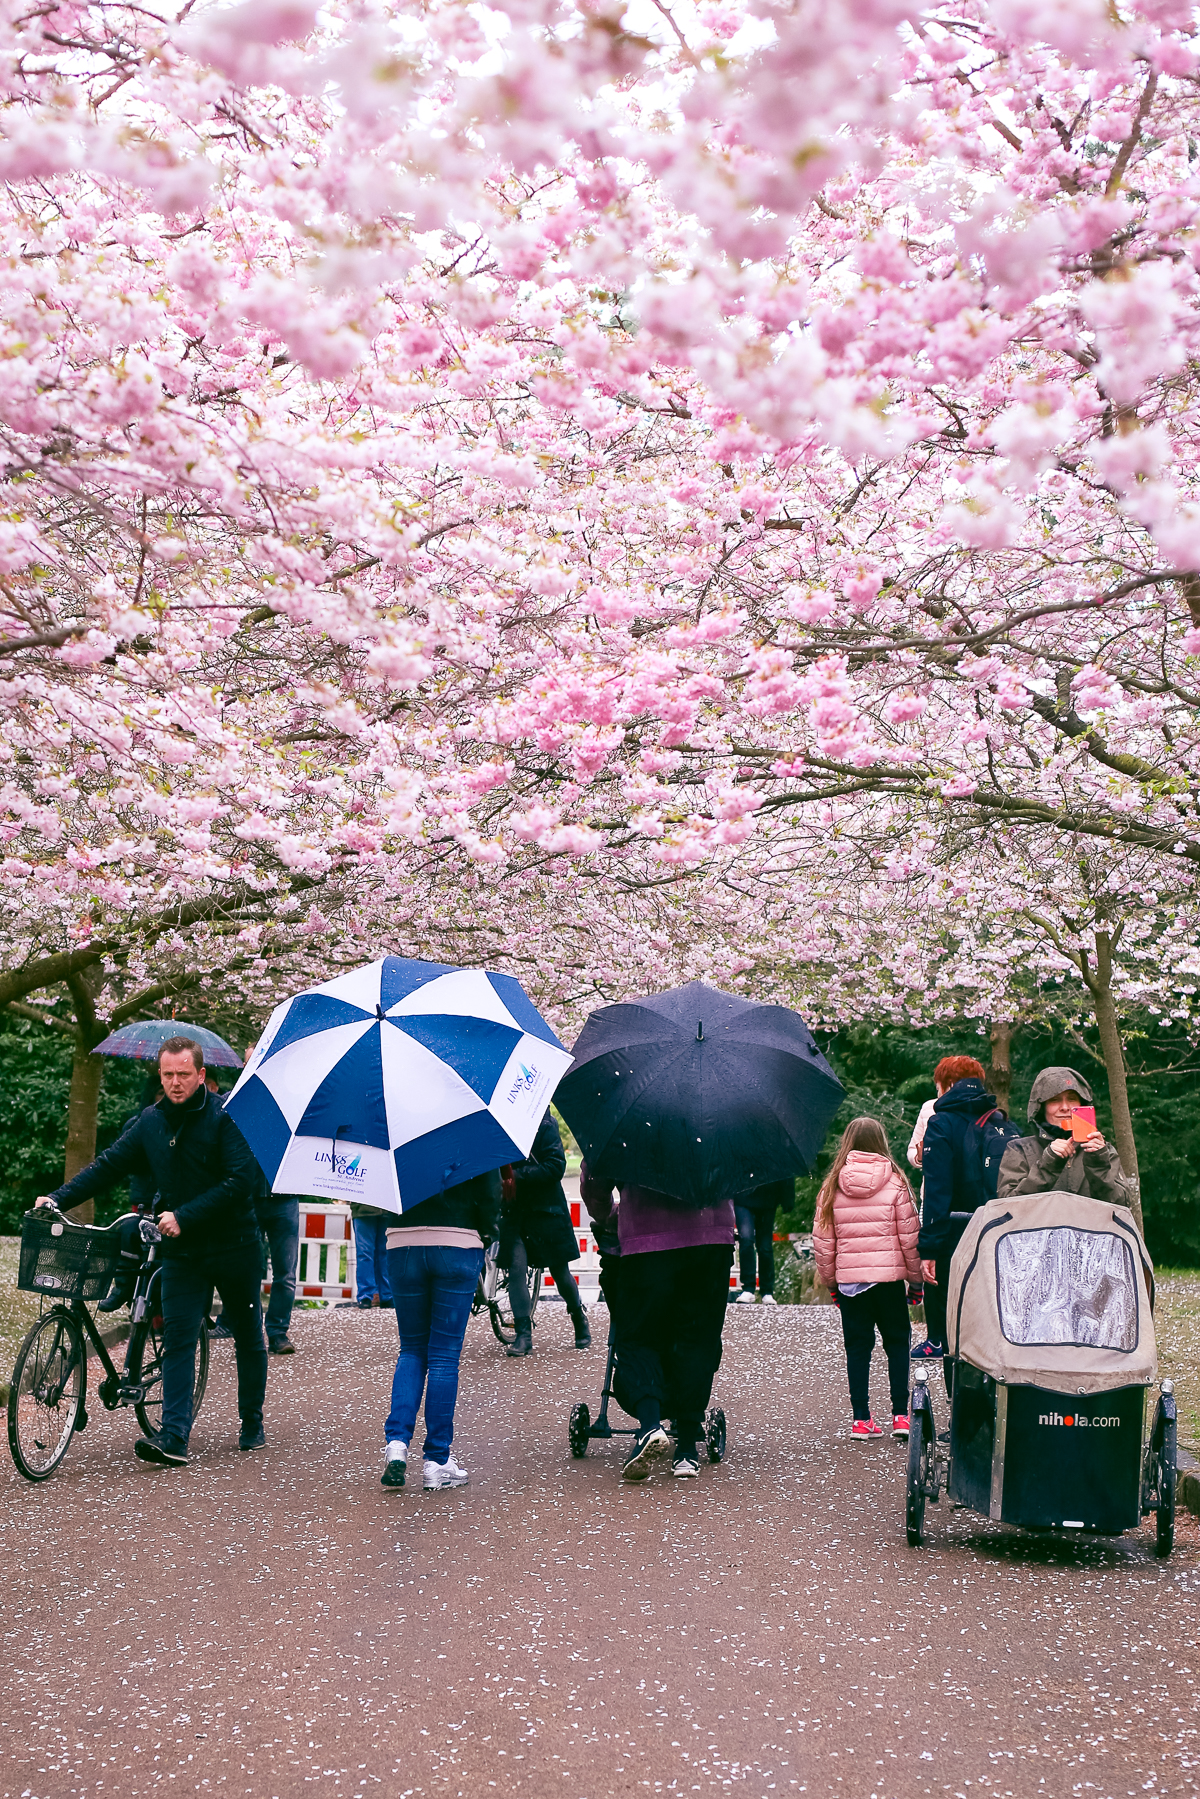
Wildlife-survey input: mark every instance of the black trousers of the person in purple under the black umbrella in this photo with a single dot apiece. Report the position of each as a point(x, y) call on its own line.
point(670, 1332)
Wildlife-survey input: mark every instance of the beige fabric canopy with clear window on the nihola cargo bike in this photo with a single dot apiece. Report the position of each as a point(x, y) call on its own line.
point(1055, 1291)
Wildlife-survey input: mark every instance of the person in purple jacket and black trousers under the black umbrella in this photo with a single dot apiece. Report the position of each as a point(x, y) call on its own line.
point(674, 1284)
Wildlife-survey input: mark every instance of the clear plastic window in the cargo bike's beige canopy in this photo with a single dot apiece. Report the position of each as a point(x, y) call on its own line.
point(1068, 1287)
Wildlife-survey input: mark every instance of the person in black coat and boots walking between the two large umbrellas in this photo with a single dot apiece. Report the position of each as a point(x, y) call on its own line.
point(537, 1231)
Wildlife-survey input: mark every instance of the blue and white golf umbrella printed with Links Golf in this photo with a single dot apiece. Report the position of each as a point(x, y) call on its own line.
point(397, 1082)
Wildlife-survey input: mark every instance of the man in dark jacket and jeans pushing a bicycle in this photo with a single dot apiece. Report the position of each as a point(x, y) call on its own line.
point(204, 1176)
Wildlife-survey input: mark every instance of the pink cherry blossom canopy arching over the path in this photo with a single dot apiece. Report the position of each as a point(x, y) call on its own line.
point(600, 456)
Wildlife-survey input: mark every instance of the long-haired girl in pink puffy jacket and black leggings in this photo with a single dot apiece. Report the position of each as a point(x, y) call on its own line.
point(866, 1246)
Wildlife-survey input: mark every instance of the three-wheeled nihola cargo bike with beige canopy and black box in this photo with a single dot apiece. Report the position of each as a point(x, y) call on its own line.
point(1055, 1422)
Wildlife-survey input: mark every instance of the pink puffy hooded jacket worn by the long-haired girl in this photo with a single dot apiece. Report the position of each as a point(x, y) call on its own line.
point(875, 1226)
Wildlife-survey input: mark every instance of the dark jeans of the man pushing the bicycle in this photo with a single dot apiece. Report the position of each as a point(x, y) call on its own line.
point(186, 1287)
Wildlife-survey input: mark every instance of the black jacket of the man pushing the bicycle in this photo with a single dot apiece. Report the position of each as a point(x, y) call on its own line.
point(201, 1168)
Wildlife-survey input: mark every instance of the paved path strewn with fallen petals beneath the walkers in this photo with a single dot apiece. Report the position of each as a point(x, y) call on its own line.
point(278, 1625)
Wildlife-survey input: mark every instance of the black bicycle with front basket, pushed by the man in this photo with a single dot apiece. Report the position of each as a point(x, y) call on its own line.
point(75, 1266)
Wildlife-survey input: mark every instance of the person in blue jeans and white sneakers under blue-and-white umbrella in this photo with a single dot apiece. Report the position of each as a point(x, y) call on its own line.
point(434, 1258)
